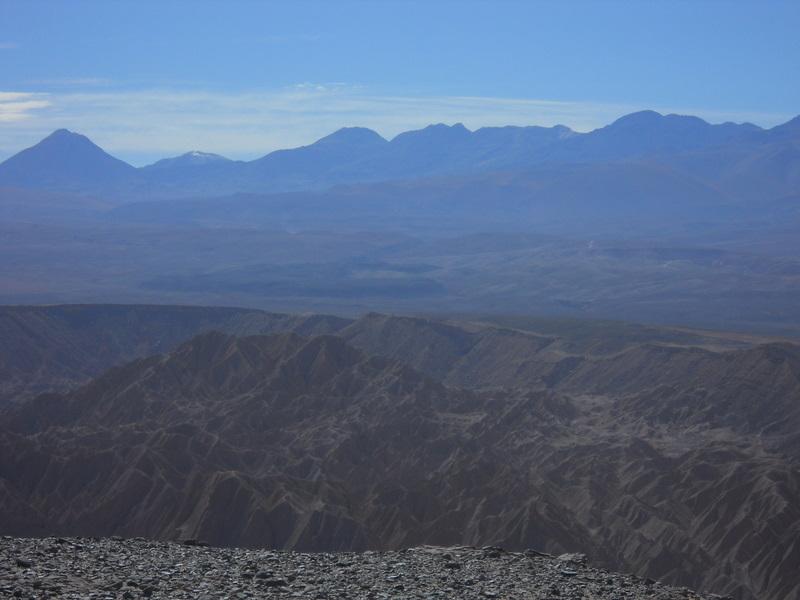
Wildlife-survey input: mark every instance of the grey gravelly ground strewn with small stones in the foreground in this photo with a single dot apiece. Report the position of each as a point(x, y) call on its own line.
point(92, 568)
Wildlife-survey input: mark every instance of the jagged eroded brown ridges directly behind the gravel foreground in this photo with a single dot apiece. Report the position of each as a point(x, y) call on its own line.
point(678, 464)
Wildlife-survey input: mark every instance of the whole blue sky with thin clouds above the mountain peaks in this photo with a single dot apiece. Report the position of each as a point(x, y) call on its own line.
point(148, 79)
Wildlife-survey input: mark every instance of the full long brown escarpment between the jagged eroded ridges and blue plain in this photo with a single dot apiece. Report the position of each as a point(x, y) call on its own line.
point(56, 348)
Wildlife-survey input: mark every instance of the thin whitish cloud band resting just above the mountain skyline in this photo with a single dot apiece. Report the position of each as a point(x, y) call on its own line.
point(141, 126)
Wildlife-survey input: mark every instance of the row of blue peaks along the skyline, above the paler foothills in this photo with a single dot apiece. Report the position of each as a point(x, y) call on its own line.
point(718, 154)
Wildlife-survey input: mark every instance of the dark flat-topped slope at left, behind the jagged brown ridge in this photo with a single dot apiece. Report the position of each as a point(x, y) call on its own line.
point(55, 348)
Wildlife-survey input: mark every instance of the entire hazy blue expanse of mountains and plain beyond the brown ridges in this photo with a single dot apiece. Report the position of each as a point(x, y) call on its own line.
point(657, 218)
